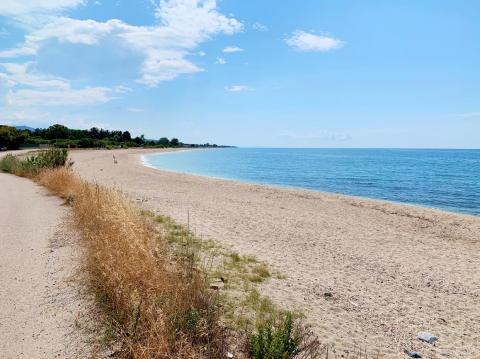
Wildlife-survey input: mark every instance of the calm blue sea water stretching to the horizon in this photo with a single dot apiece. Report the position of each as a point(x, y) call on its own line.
point(444, 179)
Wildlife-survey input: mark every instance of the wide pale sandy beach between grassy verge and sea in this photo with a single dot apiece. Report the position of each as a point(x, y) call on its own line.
point(392, 270)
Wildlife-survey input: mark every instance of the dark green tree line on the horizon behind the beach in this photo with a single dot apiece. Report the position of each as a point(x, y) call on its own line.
point(61, 136)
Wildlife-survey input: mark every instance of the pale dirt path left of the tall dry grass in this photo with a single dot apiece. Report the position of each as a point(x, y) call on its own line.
point(39, 303)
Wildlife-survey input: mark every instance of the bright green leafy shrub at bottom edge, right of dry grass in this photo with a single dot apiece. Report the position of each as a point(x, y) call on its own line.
point(276, 339)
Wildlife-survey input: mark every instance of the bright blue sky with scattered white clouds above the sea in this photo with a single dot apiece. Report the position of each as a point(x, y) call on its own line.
point(268, 73)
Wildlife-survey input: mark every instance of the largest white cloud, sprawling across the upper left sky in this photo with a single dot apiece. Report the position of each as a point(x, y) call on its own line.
point(183, 25)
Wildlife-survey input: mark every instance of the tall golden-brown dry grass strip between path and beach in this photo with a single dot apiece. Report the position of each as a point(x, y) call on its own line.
point(158, 307)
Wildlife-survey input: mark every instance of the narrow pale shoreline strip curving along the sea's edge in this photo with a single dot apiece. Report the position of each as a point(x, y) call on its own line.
point(378, 201)
